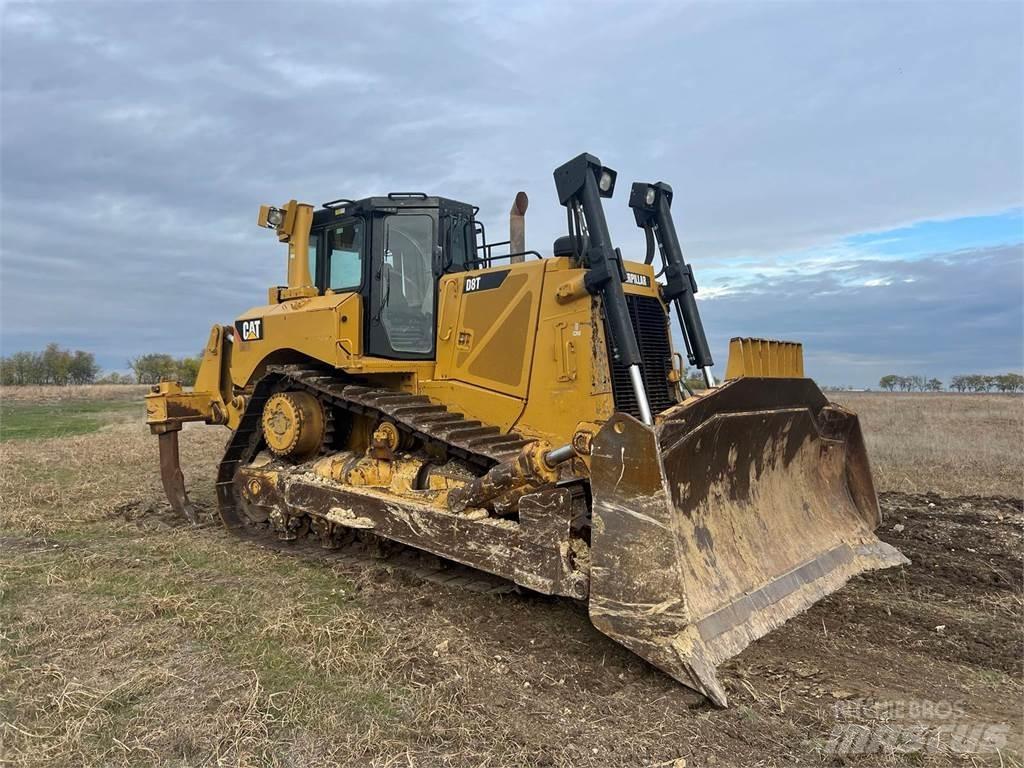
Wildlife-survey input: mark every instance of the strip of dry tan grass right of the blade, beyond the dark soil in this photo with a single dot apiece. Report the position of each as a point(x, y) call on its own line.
point(944, 443)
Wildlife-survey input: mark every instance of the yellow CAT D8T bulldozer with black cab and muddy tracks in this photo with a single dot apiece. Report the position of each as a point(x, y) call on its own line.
point(529, 417)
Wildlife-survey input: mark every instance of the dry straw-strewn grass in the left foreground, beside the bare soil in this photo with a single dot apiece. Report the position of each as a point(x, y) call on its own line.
point(129, 641)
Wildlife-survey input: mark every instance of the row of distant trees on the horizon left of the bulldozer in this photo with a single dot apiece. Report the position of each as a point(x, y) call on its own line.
point(56, 366)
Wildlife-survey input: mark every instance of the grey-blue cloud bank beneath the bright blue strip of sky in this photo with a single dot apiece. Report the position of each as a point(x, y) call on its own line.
point(944, 315)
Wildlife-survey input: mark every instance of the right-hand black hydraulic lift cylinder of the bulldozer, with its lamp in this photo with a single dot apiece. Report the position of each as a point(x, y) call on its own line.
point(652, 206)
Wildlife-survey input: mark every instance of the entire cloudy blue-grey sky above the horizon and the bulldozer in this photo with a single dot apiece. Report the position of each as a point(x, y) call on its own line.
point(849, 175)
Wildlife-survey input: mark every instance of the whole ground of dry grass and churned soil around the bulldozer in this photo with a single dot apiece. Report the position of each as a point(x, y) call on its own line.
point(129, 638)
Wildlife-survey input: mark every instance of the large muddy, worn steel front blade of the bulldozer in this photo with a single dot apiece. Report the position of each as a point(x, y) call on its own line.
point(735, 514)
